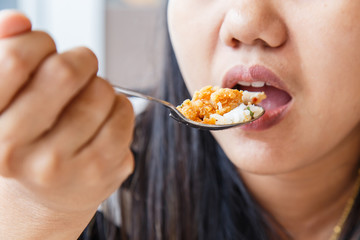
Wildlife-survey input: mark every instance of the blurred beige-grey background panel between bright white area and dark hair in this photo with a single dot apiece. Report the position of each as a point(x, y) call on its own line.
point(134, 43)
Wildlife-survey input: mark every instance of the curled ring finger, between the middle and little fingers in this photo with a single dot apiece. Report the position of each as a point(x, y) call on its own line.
point(81, 119)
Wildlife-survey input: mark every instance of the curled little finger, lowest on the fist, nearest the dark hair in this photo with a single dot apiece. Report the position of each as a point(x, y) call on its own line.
point(109, 151)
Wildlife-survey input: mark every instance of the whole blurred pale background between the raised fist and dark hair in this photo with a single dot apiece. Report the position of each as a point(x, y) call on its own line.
point(124, 34)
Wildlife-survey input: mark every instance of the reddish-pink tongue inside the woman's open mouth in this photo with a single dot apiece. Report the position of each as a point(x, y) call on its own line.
point(274, 97)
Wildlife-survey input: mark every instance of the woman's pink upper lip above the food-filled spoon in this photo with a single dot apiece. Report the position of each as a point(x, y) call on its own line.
point(251, 74)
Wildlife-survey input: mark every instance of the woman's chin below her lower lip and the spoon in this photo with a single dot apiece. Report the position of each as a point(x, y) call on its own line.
point(271, 151)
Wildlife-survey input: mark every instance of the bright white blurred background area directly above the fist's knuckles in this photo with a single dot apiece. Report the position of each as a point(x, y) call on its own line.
point(71, 23)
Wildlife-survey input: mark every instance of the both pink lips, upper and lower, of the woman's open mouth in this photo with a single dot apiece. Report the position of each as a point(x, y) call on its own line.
point(257, 73)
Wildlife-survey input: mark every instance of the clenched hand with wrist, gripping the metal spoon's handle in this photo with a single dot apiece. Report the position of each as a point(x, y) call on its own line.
point(64, 138)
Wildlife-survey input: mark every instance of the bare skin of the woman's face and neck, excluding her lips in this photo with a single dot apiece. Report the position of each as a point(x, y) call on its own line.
point(301, 170)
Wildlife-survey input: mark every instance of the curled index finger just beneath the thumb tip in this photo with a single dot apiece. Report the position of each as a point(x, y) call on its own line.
point(19, 57)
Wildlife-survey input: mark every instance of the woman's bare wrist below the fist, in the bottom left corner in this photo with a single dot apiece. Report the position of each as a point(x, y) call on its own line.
point(23, 218)
